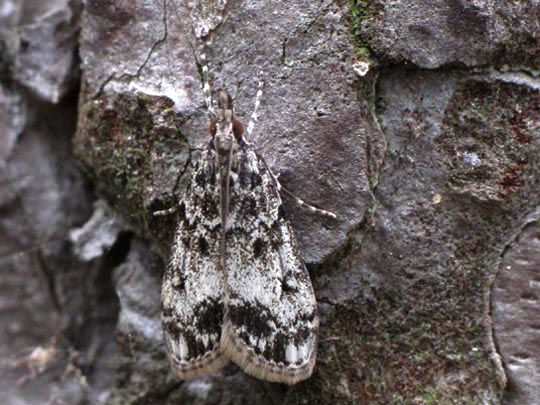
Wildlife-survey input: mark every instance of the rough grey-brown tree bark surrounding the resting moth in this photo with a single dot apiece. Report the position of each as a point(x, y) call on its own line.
point(428, 283)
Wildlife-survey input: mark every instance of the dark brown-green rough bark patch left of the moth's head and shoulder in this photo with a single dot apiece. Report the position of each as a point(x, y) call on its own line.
point(120, 143)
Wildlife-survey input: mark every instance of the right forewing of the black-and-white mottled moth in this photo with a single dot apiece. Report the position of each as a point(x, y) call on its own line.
point(271, 321)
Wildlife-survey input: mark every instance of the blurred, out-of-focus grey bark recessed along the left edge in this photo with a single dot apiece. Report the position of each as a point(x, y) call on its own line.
point(58, 306)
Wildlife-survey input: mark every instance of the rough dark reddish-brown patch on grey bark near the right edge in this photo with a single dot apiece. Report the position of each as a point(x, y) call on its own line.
point(488, 137)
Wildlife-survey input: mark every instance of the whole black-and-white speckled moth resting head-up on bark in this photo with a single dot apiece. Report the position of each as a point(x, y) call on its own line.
point(236, 287)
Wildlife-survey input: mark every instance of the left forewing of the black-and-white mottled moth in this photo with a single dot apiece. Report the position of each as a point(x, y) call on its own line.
point(193, 288)
